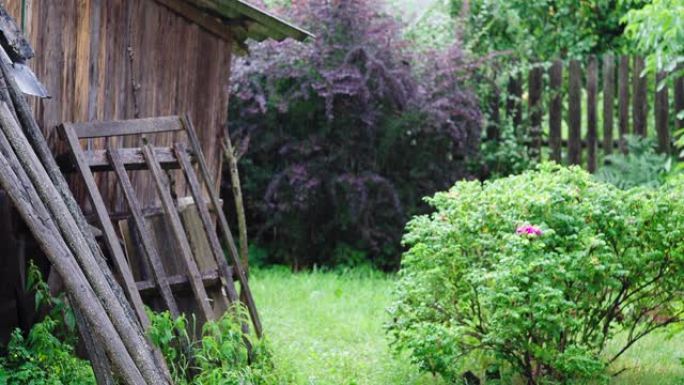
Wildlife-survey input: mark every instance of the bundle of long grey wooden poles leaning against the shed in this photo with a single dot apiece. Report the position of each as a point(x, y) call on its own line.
point(28, 172)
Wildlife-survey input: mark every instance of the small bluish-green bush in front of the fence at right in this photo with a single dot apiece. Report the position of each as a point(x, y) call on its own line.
point(641, 166)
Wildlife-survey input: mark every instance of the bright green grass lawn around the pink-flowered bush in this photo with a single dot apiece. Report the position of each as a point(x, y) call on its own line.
point(326, 329)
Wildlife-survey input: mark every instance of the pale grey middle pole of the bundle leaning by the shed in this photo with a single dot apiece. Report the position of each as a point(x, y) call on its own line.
point(133, 340)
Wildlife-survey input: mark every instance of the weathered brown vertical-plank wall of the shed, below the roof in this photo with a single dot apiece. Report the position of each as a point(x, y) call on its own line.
point(122, 59)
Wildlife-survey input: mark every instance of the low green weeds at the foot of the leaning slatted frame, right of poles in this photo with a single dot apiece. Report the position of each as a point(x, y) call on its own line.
point(219, 356)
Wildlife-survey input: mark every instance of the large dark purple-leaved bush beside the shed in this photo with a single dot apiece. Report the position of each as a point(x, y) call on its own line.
point(342, 135)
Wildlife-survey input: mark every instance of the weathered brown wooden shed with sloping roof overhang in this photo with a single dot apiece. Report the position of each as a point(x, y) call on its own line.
point(106, 60)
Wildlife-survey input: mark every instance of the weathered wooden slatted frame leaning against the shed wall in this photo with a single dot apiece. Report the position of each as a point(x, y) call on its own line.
point(156, 160)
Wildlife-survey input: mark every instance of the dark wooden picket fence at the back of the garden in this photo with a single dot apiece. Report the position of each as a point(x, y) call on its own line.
point(604, 77)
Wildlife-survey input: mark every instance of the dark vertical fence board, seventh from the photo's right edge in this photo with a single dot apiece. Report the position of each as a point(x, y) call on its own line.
point(575, 113)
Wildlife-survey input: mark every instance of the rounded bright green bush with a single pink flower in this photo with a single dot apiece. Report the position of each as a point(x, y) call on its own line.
point(531, 276)
